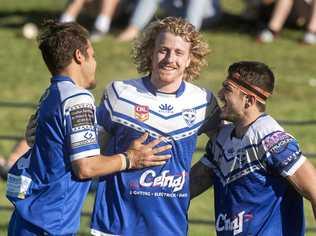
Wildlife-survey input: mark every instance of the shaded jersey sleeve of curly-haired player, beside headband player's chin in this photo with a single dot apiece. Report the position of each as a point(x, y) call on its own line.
point(212, 119)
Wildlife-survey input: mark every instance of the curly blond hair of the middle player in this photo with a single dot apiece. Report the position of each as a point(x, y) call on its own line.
point(144, 45)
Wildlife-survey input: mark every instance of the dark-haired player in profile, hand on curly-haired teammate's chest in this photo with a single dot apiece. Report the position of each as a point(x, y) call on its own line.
point(49, 183)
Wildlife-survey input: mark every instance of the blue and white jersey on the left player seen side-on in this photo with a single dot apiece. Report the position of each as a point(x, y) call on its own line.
point(41, 184)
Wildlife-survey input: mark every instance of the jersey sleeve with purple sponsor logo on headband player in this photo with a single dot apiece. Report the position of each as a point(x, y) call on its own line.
point(283, 153)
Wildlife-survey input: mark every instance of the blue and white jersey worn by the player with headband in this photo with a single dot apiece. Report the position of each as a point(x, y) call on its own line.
point(252, 197)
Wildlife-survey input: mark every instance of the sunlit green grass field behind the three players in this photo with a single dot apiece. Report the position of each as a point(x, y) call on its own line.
point(24, 76)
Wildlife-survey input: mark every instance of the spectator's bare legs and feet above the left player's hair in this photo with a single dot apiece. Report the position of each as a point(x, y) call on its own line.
point(103, 20)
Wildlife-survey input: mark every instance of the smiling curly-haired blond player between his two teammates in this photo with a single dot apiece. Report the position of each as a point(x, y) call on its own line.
point(155, 201)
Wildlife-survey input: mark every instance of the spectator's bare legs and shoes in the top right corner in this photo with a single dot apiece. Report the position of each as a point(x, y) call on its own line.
point(279, 16)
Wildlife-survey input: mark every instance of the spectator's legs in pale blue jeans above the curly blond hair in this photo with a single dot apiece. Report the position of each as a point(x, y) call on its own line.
point(197, 12)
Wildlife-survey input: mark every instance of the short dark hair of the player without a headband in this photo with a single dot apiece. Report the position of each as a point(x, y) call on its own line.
point(59, 41)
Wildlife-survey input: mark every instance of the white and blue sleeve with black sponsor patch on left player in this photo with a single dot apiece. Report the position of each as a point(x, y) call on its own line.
point(80, 117)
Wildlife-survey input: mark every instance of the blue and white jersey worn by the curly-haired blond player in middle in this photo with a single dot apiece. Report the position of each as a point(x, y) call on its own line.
point(151, 201)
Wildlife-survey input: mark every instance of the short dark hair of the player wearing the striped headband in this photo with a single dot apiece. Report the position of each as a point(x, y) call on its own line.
point(255, 73)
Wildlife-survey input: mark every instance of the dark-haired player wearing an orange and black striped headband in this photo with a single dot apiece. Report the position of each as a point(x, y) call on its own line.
point(257, 169)
